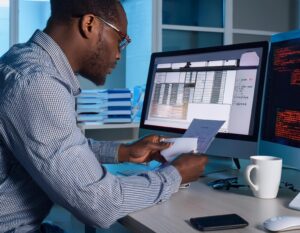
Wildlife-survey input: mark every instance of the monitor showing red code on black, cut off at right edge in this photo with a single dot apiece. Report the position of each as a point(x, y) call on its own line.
point(280, 131)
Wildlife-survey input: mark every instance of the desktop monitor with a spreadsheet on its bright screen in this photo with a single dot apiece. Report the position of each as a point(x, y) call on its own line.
point(215, 83)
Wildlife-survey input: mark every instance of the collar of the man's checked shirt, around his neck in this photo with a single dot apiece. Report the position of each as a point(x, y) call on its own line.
point(59, 59)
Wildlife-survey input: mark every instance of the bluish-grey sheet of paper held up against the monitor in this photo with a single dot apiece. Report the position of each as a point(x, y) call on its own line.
point(205, 131)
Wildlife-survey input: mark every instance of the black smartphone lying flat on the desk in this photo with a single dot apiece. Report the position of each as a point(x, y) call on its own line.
point(218, 222)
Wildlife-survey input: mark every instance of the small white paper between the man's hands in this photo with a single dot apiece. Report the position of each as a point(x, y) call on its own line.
point(179, 146)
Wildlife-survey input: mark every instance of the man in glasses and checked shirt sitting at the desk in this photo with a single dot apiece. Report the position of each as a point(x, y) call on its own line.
point(44, 157)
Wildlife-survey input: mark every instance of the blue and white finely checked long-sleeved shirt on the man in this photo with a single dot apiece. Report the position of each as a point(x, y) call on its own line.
point(45, 158)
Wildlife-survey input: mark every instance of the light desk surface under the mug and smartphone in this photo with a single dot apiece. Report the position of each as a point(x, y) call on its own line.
point(201, 200)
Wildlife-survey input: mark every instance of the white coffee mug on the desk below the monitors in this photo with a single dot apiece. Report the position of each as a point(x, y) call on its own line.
point(263, 175)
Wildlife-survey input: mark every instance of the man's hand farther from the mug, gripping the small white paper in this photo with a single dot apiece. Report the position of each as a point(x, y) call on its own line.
point(143, 150)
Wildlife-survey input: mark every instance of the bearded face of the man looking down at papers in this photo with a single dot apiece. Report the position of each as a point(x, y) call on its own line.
point(105, 54)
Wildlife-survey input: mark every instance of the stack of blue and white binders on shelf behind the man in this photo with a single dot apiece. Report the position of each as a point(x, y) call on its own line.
point(104, 106)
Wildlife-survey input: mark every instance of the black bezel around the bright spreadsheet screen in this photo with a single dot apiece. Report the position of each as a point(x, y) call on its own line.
point(257, 111)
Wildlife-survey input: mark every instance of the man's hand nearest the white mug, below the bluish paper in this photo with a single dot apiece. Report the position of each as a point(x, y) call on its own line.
point(190, 166)
